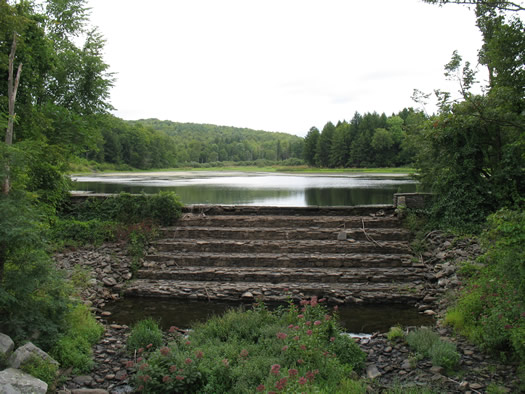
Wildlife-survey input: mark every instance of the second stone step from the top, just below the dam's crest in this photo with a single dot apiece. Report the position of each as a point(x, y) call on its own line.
point(290, 221)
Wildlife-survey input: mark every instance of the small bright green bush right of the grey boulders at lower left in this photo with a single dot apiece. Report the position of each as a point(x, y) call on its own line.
point(74, 348)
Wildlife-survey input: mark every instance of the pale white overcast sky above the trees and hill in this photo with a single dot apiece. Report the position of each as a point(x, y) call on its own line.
point(277, 65)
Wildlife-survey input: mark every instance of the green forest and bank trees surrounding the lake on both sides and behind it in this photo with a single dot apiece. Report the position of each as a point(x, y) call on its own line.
point(55, 110)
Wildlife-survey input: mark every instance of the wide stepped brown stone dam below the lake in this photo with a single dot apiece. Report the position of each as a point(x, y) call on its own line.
point(244, 253)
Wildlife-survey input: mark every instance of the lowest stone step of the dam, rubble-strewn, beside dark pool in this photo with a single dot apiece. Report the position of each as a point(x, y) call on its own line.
point(269, 292)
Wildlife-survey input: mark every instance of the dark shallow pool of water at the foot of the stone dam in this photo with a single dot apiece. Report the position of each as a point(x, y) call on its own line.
point(357, 319)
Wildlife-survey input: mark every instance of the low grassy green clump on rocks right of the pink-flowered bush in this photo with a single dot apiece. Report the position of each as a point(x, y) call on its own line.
point(427, 343)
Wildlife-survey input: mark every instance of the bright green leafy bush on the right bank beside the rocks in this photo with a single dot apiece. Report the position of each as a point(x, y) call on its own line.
point(490, 308)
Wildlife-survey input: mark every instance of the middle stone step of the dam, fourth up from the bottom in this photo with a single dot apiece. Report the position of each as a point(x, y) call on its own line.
point(286, 246)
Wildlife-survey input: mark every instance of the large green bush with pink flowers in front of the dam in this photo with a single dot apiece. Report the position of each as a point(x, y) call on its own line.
point(292, 349)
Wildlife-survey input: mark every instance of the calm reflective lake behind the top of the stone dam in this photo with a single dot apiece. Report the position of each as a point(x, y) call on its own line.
point(263, 189)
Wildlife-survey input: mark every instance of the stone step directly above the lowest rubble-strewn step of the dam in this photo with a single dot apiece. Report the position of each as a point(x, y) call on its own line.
point(279, 275)
